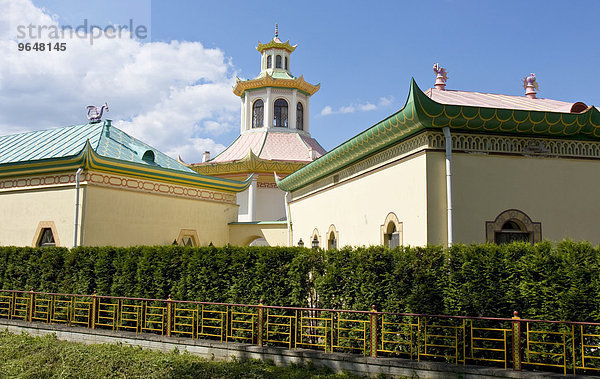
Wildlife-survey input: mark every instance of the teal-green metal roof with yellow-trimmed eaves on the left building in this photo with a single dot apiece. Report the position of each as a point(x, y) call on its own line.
point(98, 146)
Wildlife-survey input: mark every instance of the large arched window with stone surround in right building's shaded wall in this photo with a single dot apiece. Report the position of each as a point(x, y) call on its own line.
point(513, 225)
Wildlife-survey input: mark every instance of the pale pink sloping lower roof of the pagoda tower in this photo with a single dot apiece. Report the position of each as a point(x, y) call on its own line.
point(281, 146)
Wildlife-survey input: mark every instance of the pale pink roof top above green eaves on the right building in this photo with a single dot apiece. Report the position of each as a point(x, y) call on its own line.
point(491, 100)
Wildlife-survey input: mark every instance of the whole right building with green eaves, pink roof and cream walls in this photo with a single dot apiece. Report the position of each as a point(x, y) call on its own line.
point(455, 167)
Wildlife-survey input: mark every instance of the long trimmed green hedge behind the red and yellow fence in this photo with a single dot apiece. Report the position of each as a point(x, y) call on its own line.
point(560, 282)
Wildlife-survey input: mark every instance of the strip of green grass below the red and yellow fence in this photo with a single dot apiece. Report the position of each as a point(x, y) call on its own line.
point(24, 356)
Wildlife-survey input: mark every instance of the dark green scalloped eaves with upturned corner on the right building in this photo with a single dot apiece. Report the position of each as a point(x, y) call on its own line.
point(422, 113)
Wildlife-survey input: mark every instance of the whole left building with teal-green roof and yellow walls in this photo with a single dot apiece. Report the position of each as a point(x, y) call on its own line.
point(95, 185)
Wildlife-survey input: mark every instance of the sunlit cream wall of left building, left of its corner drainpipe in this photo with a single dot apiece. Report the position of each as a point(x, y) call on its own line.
point(22, 211)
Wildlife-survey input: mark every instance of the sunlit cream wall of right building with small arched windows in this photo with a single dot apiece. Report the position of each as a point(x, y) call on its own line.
point(358, 206)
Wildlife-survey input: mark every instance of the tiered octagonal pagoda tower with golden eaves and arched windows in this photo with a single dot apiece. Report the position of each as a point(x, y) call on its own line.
point(274, 134)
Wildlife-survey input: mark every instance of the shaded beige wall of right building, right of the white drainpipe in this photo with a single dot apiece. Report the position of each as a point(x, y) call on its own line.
point(558, 192)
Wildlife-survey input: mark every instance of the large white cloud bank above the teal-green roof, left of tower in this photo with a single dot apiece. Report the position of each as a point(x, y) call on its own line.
point(174, 96)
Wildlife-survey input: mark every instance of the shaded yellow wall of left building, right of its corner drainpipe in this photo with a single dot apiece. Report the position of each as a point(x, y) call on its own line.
point(126, 218)
